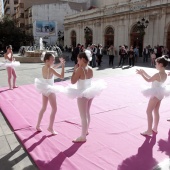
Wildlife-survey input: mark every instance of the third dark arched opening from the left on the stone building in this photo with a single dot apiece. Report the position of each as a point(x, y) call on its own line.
point(109, 37)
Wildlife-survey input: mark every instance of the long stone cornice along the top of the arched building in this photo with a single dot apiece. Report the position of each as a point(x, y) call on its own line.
point(113, 11)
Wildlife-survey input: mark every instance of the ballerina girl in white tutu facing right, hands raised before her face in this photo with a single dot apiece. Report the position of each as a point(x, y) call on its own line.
point(48, 89)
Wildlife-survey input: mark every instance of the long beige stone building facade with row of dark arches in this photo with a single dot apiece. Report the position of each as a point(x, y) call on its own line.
point(115, 22)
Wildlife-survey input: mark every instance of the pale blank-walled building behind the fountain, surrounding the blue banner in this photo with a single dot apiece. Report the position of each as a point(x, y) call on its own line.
point(55, 12)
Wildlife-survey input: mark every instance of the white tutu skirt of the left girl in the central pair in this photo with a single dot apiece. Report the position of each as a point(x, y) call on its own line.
point(47, 86)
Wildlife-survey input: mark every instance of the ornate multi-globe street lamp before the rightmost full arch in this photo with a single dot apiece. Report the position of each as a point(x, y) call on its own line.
point(142, 25)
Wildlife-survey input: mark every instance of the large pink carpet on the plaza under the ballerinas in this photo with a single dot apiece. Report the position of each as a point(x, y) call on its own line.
point(114, 141)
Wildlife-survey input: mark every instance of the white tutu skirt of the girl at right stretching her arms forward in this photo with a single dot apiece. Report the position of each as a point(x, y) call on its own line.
point(158, 90)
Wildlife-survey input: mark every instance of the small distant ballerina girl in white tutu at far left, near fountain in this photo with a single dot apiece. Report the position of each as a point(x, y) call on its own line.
point(10, 65)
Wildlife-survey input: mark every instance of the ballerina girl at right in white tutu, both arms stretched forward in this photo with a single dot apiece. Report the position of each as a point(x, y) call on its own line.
point(156, 92)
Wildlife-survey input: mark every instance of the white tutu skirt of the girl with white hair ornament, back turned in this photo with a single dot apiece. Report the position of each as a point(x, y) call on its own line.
point(85, 88)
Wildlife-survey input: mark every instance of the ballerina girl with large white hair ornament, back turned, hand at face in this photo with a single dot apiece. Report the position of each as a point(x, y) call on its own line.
point(85, 90)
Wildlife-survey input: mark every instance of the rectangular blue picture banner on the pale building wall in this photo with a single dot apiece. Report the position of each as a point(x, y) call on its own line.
point(45, 28)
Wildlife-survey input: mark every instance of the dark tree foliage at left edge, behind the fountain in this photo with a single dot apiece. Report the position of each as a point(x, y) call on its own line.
point(11, 34)
